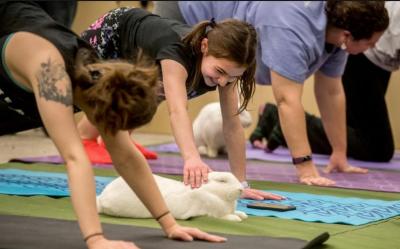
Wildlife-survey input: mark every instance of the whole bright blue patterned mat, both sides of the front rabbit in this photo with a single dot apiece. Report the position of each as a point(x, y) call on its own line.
point(311, 208)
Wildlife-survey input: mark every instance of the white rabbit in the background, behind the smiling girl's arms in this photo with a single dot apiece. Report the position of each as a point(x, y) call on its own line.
point(207, 129)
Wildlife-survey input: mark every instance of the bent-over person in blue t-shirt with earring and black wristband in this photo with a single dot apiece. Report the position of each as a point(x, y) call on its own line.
point(298, 39)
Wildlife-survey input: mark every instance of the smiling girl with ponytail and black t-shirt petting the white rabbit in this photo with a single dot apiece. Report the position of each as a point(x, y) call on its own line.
point(192, 61)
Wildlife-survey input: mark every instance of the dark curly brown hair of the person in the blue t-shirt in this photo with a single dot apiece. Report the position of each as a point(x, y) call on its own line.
point(361, 18)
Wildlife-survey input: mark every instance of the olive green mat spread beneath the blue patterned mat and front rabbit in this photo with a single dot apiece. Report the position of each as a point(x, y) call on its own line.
point(372, 236)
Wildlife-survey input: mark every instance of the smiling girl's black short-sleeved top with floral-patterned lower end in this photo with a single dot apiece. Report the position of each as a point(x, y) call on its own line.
point(120, 32)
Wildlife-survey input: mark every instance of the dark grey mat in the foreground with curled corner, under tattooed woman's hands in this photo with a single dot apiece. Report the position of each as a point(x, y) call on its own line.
point(35, 233)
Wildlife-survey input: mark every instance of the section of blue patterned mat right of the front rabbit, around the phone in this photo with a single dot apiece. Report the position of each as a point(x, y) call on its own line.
point(327, 209)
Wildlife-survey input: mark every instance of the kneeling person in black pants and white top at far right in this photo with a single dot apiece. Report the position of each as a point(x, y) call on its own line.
point(365, 82)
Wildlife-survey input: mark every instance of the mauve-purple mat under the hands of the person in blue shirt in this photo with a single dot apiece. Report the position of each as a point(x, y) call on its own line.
point(386, 181)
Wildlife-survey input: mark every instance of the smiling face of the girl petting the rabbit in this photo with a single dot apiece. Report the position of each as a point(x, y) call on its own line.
point(218, 71)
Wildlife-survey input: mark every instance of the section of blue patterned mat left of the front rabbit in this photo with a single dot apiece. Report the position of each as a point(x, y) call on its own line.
point(25, 182)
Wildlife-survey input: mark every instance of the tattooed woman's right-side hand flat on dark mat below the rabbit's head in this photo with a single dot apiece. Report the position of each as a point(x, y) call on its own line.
point(178, 232)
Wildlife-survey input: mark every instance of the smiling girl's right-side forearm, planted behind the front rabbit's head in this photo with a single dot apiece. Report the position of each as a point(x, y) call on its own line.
point(236, 148)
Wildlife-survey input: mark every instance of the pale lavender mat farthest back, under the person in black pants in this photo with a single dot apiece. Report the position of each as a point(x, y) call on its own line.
point(282, 155)
